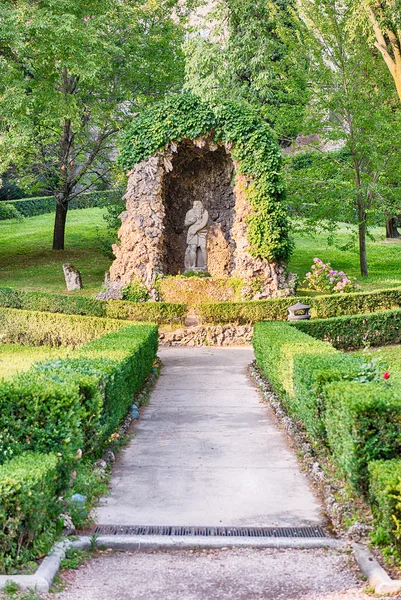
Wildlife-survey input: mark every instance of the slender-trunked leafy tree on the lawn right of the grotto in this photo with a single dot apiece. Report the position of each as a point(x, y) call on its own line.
point(350, 107)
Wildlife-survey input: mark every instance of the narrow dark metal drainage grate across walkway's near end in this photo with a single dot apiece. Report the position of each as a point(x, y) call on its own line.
point(269, 532)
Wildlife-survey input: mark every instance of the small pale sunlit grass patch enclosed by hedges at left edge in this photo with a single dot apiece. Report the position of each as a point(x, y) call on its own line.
point(15, 358)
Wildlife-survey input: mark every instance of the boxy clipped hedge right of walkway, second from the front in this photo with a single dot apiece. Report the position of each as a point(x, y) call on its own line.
point(363, 423)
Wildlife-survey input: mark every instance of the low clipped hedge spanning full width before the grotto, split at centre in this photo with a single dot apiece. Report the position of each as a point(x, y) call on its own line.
point(275, 309)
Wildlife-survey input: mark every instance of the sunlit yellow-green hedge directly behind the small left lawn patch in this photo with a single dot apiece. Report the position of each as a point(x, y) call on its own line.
point(35, 328)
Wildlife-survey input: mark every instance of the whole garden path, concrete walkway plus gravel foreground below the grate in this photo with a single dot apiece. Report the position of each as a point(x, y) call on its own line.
point(207, 452)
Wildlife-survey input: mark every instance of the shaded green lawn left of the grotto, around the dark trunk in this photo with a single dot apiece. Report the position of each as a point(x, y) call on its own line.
point(28, 262)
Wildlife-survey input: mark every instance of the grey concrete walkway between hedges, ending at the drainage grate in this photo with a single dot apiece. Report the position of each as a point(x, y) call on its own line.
point(207, 452)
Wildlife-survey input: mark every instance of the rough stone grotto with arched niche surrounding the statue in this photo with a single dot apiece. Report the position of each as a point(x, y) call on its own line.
point(152, 236)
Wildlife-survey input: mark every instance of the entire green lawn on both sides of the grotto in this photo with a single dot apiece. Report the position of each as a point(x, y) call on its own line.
point(27, 261)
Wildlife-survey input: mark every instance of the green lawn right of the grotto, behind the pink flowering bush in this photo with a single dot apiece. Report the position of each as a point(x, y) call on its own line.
point(384, 258)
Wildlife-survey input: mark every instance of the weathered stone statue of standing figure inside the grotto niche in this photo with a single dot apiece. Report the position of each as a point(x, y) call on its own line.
point(197, 219)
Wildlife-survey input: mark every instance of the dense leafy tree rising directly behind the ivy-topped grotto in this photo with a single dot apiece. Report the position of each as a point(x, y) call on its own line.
point(252, 50)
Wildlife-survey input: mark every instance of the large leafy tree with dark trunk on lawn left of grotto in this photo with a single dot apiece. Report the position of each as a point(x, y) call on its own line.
point(71, 75)
